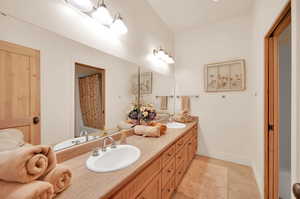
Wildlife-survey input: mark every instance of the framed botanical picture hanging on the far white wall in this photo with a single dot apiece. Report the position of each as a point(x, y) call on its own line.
point(225, 76)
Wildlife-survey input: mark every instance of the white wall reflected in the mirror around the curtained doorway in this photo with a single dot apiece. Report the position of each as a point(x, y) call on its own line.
point(58, 57)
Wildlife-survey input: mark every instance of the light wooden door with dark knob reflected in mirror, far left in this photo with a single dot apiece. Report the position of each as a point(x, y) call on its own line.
point(20, 90)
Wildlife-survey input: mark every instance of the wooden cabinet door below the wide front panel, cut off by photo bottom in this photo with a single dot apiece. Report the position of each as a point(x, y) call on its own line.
point(153, 190)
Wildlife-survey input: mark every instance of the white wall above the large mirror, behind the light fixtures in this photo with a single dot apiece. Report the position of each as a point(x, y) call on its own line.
point(146, 30)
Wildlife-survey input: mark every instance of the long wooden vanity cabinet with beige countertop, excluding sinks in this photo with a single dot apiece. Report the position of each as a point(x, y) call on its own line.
point(157, 173)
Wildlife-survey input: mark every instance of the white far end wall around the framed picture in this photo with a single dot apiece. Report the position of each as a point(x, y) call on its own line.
point(227, 125)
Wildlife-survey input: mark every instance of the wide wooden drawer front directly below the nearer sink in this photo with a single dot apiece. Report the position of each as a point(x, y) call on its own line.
point(134, 188)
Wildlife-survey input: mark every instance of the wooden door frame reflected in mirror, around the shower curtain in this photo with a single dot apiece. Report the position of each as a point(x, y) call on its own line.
point(103, 80)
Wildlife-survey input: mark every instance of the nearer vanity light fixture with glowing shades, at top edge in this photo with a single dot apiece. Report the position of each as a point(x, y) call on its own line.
point(101, 14)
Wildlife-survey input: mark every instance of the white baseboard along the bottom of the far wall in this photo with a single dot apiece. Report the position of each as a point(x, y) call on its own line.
point(228, 157)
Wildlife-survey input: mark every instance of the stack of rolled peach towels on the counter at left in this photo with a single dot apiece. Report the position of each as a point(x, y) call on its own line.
point(32, 172)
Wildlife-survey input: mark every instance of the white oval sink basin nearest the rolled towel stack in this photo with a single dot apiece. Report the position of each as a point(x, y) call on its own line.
point(113, 159)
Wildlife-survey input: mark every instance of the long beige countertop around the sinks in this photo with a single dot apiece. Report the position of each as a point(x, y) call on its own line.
point(90, 185)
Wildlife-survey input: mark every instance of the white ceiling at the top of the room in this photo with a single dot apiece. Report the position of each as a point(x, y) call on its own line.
point(186, 14)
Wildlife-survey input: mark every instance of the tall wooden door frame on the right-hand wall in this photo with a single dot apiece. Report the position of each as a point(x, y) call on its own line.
point(271, 117)
